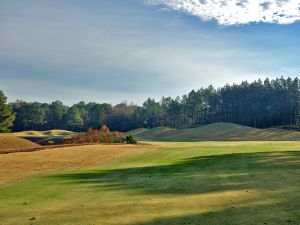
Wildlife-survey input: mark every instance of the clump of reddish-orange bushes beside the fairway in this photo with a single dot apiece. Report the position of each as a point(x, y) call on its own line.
point(104, 135)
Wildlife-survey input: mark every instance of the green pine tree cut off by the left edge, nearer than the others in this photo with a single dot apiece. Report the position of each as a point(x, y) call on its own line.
point(6, 115)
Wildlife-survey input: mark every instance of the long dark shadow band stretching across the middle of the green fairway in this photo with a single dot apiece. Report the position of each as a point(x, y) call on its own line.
point(199, 174)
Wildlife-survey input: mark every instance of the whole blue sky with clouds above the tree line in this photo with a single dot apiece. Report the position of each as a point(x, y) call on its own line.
point(116, 50)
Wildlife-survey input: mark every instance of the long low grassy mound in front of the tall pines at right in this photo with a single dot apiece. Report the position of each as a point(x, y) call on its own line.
point(216, 132)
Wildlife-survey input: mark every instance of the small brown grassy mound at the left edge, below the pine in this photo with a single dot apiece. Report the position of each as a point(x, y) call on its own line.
point(13, 143)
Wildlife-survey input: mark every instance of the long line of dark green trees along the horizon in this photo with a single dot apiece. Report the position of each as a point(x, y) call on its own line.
point(258, 104)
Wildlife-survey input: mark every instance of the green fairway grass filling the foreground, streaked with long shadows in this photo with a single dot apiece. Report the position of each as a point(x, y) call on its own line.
point(213, 183)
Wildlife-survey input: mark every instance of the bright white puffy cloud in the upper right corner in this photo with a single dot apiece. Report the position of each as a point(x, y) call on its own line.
point(232, 12)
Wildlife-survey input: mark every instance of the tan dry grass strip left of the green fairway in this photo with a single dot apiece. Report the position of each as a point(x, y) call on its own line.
point(18, 165)
